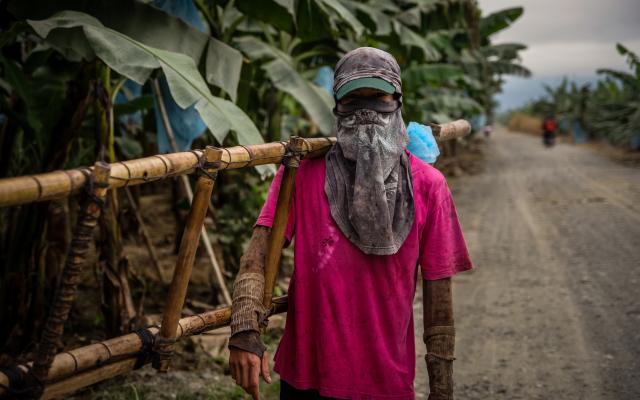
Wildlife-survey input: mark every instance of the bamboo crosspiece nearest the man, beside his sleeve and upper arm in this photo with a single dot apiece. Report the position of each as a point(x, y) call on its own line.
point(276, 239)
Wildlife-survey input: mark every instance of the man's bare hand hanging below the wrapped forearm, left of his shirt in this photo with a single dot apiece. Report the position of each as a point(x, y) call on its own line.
point(246, 369)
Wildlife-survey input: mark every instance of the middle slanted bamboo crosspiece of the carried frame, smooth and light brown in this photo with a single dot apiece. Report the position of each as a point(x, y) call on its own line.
point(182, 273)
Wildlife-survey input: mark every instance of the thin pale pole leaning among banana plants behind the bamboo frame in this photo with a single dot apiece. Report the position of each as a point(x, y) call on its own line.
point(187, 188)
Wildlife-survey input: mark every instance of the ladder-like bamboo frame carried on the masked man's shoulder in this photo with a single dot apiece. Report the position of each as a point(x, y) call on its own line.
point(71, 370)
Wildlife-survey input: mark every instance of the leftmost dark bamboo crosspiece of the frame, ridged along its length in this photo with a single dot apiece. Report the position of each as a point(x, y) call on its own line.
point(76, 258)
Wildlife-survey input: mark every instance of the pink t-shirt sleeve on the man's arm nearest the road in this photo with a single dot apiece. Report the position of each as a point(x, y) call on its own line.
point(443, 251)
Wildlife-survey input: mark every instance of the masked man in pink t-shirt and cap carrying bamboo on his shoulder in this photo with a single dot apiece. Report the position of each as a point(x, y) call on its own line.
point(364, 217)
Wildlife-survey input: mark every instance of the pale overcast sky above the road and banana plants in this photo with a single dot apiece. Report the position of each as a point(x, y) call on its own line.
point(566, 38)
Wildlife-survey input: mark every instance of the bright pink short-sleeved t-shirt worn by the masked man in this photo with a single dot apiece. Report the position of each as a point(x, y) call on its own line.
point(349, 331)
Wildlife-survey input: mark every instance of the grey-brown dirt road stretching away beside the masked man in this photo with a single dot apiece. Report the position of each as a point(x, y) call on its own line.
point(553, 308)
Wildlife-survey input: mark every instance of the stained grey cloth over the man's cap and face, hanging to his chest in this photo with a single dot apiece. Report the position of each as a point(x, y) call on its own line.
point(368, 176)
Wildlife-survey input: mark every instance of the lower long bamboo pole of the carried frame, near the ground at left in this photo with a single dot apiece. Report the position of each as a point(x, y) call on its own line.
point(84, 366)
